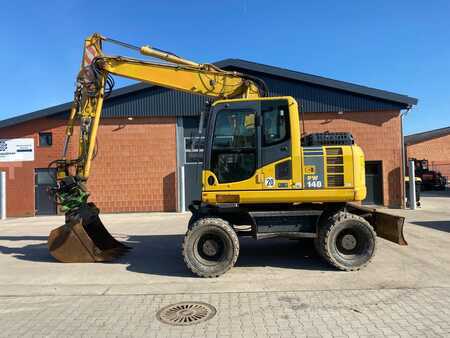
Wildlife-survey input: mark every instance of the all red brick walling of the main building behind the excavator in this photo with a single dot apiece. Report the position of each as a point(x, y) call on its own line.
point(135, 167)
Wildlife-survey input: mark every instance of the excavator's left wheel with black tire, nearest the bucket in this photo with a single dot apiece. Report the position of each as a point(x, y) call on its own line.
point(210, 247)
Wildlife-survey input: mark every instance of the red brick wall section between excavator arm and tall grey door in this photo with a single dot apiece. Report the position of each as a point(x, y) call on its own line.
point(136, 165)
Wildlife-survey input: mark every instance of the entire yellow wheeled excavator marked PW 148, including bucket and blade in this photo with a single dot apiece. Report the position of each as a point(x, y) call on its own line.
point(262, 176)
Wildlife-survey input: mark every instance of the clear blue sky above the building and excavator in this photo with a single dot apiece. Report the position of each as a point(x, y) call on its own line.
point(399, 46)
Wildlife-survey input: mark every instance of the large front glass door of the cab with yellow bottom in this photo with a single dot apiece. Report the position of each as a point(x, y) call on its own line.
point(233, 157)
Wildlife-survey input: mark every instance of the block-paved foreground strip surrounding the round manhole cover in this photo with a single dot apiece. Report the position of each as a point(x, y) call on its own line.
point(353, 313)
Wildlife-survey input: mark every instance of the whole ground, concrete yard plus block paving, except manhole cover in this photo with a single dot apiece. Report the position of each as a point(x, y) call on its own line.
point(278, 287)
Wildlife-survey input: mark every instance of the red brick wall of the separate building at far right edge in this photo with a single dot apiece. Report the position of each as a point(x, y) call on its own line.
point(436, 151)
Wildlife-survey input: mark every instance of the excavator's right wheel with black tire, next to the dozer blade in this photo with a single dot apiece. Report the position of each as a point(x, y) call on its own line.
point(347, 241)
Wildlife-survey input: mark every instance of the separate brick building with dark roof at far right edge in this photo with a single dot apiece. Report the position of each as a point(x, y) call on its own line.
point(432, 145)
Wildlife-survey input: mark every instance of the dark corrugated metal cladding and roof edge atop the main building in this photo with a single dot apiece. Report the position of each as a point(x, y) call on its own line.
point(313, 93)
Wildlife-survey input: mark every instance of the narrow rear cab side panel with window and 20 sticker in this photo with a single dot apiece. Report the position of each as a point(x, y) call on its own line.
point(275, 145)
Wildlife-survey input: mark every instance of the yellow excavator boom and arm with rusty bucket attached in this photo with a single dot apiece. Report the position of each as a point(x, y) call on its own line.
point(83, 238)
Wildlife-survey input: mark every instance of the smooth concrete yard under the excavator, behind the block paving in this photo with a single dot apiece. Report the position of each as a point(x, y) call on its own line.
point(155, 264)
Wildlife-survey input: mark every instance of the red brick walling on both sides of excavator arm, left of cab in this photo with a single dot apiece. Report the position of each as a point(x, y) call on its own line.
point(134, 170)
